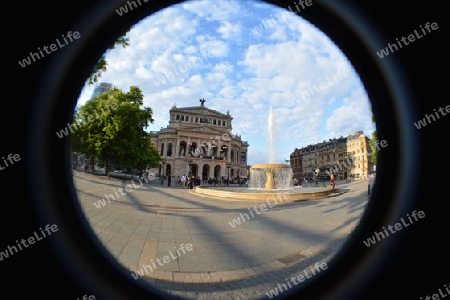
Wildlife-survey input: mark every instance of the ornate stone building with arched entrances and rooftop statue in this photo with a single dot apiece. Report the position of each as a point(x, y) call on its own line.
point(198, 141)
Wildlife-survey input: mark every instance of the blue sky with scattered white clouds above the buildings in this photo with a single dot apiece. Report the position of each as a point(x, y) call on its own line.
point(247, 57)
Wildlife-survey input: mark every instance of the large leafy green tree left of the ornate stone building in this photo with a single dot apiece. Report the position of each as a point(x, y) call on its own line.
point(111, 128)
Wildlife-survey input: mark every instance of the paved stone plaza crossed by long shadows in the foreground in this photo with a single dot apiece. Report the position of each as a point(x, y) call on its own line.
point(231, 250)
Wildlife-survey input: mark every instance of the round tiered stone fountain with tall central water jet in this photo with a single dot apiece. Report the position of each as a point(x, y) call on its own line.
point(268, 179)
